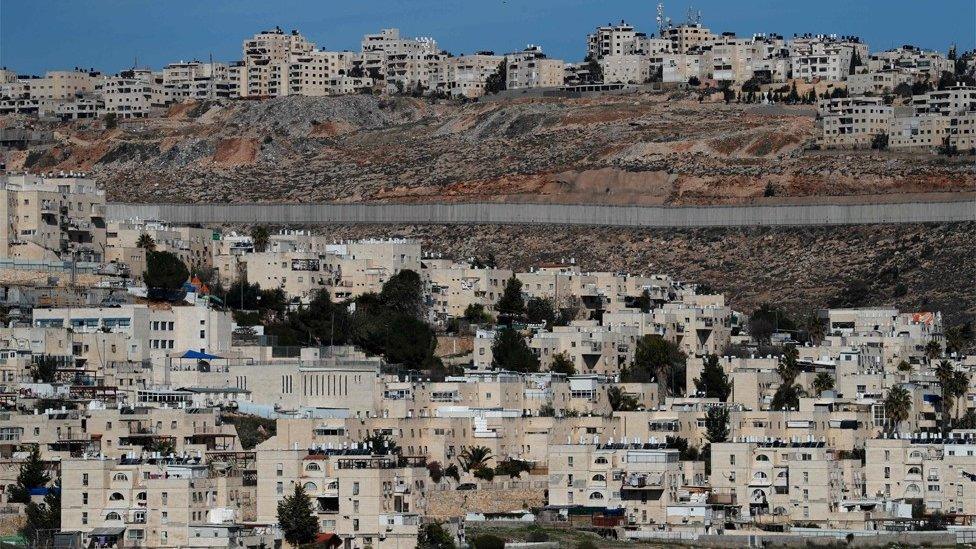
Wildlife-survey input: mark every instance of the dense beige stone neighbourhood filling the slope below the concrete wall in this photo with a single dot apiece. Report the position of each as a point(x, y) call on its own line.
point(399, 392)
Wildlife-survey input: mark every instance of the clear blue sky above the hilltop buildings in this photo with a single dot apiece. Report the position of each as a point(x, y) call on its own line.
point(110, 35)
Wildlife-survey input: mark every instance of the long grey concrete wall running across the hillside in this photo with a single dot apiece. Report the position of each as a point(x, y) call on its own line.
point(555, 214)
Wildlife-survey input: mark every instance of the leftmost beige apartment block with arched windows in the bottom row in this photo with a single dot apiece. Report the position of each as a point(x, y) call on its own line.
point(158, 501)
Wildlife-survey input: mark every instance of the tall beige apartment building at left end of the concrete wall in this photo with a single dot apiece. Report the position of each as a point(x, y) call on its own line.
point(51, 217)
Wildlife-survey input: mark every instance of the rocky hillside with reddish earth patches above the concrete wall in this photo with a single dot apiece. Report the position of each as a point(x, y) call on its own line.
point(648, 149)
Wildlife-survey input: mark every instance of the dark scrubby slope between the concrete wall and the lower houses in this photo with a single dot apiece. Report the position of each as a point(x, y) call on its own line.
point(912, 267)
